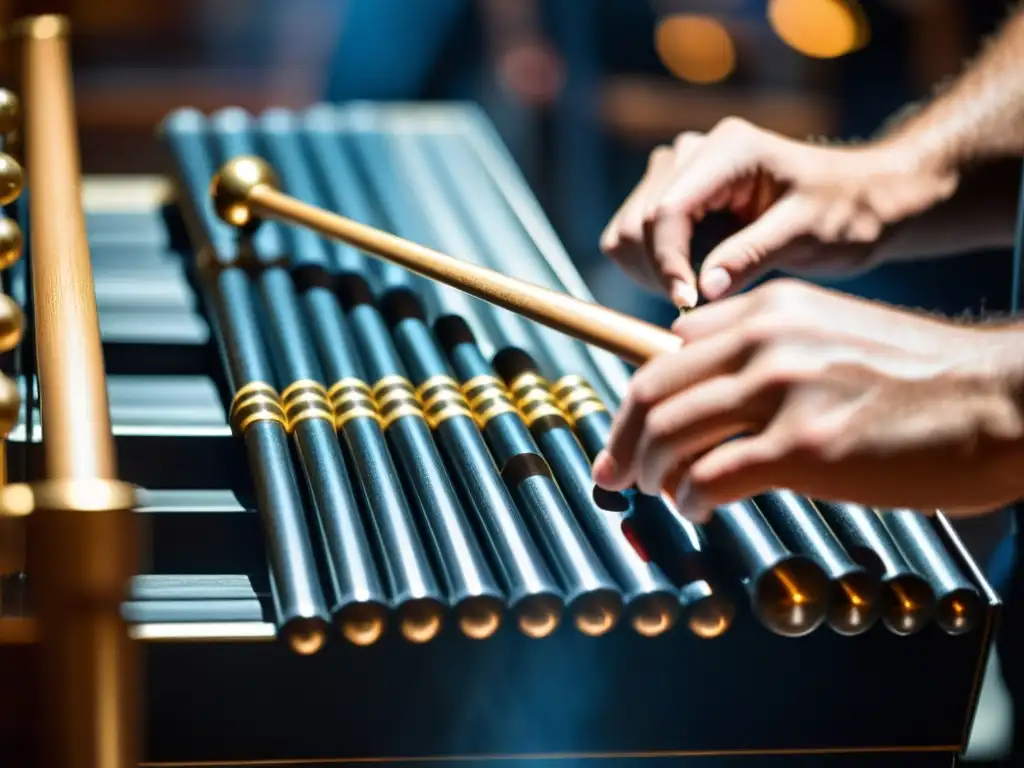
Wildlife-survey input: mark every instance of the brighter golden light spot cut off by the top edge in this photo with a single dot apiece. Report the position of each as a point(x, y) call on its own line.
point(821, 29)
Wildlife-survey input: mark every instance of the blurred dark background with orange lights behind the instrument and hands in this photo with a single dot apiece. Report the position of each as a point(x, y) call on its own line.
point(581, 91)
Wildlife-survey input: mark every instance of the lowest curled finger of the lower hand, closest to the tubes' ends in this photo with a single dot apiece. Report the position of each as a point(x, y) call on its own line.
point(738, 470)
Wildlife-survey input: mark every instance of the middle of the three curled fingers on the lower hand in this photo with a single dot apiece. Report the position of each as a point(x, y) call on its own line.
point(689, 424)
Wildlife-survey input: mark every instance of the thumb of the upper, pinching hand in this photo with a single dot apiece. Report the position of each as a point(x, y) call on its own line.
point(756, 249)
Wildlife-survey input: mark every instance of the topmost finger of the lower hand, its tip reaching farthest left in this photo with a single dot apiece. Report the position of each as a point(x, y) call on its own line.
point(665, 376)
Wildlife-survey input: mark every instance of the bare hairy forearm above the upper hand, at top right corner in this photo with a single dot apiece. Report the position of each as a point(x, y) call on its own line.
point(980, 116)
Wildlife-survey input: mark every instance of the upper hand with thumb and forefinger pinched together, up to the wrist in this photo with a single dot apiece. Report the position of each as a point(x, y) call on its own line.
point(805, 208)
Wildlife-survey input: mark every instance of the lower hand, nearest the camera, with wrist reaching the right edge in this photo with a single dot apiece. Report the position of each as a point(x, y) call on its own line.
point(831, 397)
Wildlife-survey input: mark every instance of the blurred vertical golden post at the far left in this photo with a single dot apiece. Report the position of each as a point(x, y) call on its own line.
point(82, 543)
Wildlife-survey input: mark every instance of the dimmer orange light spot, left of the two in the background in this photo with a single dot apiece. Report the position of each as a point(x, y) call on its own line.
point(698, 50)
